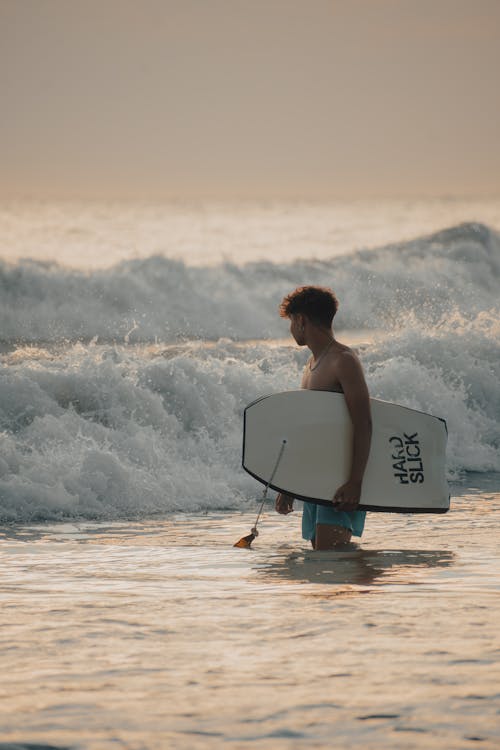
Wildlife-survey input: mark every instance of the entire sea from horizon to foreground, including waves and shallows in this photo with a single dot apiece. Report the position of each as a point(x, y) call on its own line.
point(132, 336)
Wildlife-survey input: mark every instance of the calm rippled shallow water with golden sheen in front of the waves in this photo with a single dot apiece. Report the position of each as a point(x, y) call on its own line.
point(159, 634)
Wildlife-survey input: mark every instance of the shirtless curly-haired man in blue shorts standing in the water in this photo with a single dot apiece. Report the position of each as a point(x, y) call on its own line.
point(332, 366)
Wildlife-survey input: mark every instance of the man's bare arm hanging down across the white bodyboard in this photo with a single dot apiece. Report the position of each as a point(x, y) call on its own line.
point(350, 375)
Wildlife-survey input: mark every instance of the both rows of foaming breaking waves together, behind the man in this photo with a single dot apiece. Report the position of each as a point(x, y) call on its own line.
point(91, 429)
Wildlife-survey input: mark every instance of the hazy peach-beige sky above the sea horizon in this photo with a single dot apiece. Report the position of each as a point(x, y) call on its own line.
point(302, 98)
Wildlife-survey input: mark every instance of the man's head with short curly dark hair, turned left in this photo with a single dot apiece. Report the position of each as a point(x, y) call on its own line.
point(309, 305)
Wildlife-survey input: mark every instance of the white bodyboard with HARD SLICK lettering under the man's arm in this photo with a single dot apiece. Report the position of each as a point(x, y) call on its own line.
point(405, 471)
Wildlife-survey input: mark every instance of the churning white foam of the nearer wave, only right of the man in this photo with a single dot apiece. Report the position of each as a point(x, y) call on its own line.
point(453, 371)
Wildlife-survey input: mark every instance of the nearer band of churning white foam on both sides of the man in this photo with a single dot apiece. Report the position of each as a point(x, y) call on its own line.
point(116, 432)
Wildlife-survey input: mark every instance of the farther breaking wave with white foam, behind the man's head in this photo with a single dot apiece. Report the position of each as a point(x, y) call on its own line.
point(162, 299)
